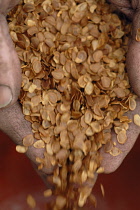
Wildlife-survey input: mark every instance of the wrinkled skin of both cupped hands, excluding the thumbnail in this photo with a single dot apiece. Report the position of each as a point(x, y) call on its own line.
point(12, 121)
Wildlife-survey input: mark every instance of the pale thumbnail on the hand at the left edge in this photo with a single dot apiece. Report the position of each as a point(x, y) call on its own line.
point(5, 96)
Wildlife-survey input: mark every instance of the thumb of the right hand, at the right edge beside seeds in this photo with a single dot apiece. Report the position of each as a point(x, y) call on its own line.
point(133, 56)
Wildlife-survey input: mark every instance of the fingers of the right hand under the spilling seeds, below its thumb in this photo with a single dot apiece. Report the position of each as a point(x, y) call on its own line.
point(111, 163)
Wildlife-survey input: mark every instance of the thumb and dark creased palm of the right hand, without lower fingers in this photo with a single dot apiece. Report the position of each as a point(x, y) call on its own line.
point(131, 8)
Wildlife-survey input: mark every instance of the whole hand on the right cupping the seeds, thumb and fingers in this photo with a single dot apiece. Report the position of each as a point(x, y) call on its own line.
point(132, 10)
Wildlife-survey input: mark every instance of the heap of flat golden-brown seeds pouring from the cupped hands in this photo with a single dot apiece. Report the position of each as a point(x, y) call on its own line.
point(74, 88)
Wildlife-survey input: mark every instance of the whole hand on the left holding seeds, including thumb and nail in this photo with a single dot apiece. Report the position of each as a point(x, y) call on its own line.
point(12, 121)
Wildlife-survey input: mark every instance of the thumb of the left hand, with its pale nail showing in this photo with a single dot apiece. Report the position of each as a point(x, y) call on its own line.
point(10, 72)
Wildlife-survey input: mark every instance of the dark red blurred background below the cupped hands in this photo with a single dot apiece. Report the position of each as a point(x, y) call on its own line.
point(18, 179)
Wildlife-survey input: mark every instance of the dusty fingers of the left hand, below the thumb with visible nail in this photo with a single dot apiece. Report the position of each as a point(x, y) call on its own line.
point(12, 123)
